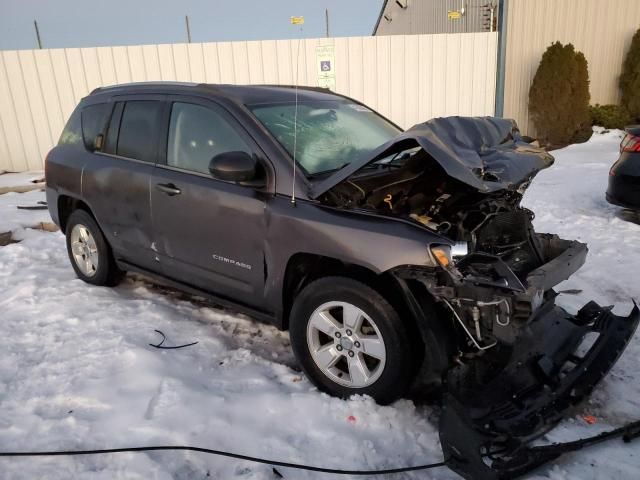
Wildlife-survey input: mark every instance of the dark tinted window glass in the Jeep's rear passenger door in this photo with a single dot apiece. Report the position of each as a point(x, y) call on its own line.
point(138, 130)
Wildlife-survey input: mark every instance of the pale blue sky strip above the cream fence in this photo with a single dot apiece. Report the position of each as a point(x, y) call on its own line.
point(77, 23)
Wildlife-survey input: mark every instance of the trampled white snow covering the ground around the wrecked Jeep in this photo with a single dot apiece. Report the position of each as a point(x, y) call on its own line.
point(76, 370)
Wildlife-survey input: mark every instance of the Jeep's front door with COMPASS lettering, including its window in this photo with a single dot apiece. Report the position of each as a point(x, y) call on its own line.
point(209, 233)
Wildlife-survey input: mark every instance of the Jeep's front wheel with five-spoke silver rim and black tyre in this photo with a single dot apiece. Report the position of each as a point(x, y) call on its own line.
point(375, 360)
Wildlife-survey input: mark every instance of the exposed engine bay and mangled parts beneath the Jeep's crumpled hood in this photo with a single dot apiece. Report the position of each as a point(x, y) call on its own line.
point(496, 247)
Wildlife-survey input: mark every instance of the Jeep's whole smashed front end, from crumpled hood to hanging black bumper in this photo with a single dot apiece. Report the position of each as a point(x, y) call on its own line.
point(519, 360)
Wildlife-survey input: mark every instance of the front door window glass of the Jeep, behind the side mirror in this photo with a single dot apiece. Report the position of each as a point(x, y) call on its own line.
point(197, 134)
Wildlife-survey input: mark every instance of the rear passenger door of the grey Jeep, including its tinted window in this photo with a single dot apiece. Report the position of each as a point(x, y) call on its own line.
point(117, 183)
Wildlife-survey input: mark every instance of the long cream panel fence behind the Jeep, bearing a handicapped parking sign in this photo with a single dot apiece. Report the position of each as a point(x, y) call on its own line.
point(407, 78)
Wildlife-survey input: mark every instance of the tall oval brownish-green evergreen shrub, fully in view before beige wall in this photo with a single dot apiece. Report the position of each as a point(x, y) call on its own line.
point(559, 96)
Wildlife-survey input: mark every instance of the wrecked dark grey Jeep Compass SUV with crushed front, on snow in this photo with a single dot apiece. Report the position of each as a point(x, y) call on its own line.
point(398, 260)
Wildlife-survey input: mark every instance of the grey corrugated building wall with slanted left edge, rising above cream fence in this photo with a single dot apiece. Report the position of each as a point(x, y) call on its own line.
point(431, 16)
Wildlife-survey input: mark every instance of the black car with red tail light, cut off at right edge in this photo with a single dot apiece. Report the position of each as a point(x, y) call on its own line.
point(624, 176)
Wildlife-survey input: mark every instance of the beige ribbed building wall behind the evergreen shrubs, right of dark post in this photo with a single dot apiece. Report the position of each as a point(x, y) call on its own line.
point(602, 30)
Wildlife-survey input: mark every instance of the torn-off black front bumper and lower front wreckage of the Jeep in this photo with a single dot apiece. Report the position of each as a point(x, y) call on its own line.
point(523, 361)
